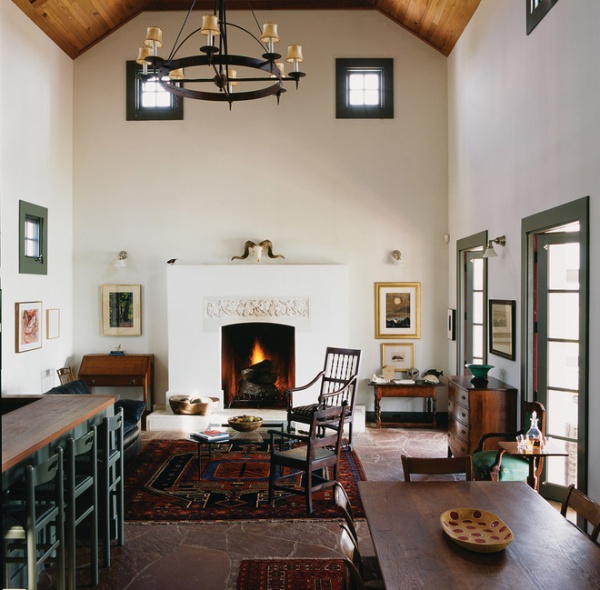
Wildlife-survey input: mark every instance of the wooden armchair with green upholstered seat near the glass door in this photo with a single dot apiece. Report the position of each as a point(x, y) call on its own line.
point(491, 463)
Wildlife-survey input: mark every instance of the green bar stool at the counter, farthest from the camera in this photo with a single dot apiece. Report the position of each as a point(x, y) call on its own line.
point(111, 478)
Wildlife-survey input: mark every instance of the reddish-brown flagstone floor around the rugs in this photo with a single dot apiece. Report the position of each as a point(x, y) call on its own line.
point(206, 556)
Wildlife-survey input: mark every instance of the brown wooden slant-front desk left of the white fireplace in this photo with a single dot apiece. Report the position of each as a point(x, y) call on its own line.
point(128, 370)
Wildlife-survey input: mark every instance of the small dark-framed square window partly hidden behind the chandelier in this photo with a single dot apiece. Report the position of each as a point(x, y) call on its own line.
point(147, 100)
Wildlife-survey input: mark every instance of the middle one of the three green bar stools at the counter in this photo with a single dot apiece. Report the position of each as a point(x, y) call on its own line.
point(81, 499)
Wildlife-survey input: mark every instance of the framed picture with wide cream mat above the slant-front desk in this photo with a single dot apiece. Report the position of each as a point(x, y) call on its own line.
point(121, 310)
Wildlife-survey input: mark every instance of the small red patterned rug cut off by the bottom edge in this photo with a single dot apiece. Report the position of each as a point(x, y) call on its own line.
point(291, 574)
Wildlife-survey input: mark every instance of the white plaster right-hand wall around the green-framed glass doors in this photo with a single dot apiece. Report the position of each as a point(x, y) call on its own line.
point(524, 123)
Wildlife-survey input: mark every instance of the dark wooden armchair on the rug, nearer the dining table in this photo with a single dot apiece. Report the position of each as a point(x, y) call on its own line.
point(307, 454)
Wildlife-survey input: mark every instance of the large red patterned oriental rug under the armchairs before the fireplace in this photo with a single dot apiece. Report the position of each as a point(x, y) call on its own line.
point(162, 484)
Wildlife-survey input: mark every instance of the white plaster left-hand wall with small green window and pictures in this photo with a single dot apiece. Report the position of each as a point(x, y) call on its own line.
point(36, 165)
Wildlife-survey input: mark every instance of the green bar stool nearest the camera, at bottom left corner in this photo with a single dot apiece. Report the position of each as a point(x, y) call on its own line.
point(33, 523)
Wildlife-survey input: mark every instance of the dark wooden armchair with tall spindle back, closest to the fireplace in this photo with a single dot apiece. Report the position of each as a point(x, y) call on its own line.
point(338, 383)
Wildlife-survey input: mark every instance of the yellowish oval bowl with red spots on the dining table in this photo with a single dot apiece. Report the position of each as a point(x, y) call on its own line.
point(476, 530)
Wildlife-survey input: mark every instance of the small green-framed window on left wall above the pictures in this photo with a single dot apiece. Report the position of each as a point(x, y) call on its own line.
point(33, 239)
